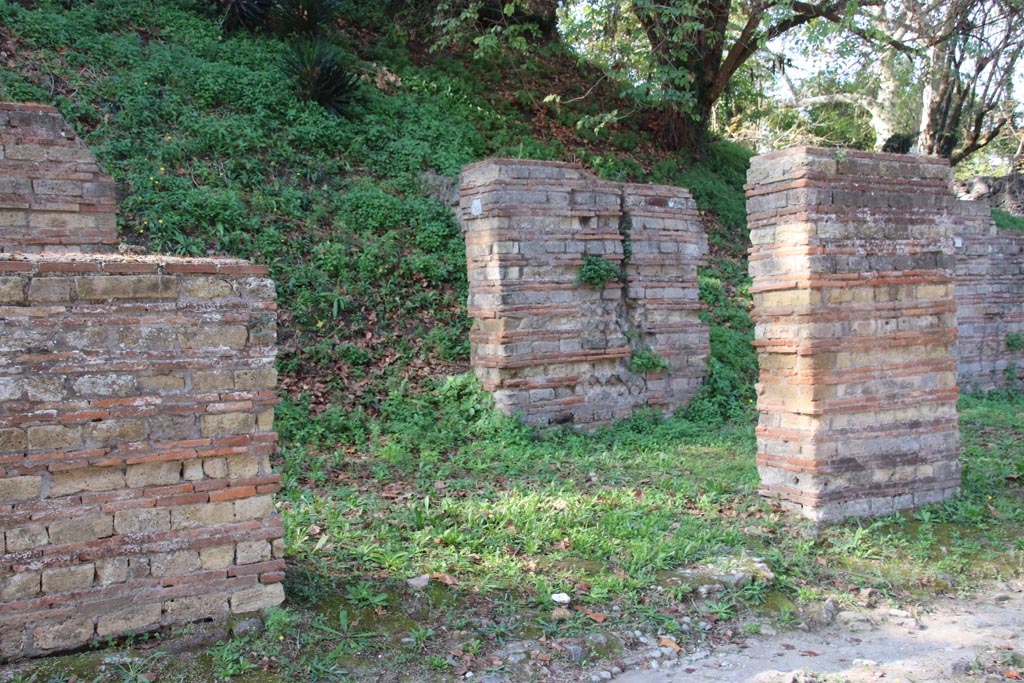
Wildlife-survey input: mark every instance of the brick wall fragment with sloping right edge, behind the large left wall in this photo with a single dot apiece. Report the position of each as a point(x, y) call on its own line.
point(54, 195)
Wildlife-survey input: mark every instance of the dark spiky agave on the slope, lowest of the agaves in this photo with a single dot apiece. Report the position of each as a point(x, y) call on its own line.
point(320, 76)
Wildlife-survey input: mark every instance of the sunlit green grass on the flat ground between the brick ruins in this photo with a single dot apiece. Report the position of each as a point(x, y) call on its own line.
point(499, 518)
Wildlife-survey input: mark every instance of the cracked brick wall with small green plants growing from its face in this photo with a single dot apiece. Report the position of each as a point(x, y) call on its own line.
point(551, 350)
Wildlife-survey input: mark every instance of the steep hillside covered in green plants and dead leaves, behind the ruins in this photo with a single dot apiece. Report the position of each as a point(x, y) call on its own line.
point(214, 153)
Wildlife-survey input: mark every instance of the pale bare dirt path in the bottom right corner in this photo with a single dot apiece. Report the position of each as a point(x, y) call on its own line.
point(980, 638)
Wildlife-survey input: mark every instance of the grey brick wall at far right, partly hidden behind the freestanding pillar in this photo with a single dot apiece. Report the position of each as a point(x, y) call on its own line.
point(990, 301)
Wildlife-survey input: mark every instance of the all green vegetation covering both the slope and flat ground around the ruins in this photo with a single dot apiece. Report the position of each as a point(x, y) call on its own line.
point(396, 465)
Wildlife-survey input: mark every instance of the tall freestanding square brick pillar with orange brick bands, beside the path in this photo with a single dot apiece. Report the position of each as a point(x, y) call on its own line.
point(852, 262)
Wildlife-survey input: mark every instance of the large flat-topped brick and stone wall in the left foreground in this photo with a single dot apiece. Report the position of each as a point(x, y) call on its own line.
point(137, 415)
